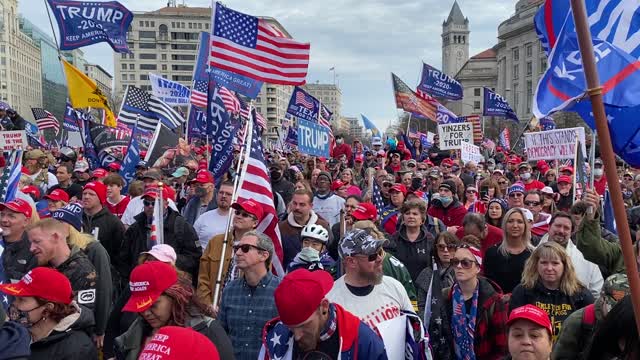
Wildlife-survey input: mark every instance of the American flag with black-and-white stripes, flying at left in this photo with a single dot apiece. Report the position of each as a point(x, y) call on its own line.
point(147, 109)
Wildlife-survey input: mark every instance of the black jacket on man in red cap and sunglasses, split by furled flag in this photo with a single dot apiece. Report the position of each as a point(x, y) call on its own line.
point(177, 233)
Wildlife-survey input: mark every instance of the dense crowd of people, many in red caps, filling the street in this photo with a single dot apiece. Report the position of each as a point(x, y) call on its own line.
point(500, 259)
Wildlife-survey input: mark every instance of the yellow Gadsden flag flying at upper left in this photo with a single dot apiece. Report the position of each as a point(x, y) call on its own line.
point(84, 92)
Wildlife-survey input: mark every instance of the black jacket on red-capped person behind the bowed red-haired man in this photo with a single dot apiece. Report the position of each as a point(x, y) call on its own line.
point(110, 230)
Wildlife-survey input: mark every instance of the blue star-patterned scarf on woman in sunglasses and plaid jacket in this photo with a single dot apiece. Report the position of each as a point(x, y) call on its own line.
point(464, 325)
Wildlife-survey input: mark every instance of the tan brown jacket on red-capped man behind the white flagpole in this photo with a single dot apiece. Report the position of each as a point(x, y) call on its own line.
point(209, 265)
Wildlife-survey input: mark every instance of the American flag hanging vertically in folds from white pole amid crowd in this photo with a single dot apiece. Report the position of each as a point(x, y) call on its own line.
point(255, 185)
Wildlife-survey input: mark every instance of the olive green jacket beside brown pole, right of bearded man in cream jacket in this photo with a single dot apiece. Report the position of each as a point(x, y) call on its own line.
point(598, 250)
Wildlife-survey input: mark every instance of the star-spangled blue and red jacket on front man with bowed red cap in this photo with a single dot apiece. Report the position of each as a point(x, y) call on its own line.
point(357, 340)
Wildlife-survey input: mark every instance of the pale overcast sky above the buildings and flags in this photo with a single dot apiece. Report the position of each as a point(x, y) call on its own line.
point(364, 40)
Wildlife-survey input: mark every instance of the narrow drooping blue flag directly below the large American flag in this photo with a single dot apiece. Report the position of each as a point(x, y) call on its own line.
point(223, 130)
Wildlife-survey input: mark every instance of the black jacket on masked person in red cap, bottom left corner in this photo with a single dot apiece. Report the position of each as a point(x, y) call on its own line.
point(69, 342)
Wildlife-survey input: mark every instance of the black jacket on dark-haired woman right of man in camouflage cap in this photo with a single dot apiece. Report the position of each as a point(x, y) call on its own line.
point(415, 255)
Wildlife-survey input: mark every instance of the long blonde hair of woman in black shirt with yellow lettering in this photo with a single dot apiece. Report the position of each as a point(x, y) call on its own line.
point(569, 283)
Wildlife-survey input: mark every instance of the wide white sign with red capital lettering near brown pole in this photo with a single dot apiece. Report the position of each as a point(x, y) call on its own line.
point(554, 144)
